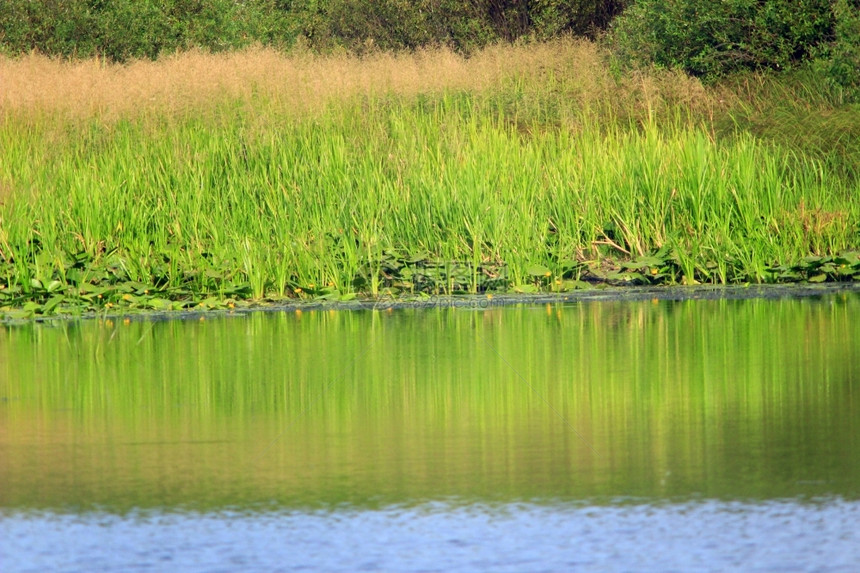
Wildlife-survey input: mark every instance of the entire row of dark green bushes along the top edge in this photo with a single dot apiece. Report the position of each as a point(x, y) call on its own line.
point(708, 38)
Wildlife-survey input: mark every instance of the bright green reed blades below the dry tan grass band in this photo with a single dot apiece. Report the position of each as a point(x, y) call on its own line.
point(518, 188)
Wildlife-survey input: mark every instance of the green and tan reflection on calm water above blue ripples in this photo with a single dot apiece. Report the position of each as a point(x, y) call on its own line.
point(755, 399)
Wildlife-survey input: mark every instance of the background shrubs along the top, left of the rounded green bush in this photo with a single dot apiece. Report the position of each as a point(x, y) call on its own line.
point(126, 29)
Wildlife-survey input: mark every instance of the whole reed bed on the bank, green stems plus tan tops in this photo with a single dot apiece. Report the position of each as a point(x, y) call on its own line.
point(202, 179)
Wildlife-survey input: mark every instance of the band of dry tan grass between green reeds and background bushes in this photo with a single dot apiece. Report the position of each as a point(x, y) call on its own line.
point(301, 82)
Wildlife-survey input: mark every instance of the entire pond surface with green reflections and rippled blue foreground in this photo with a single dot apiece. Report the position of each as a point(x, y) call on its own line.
point(606, 436)
